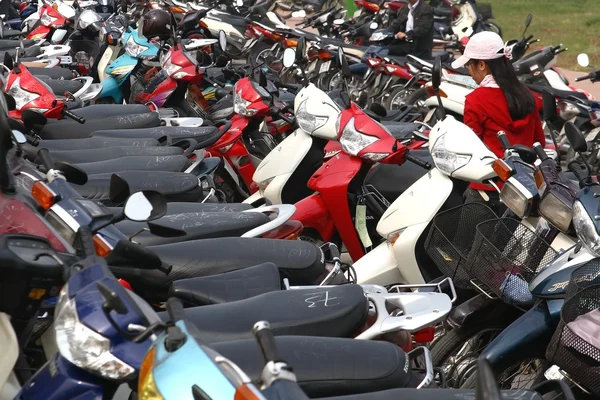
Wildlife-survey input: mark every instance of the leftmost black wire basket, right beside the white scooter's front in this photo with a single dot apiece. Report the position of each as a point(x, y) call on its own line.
point(451, 238)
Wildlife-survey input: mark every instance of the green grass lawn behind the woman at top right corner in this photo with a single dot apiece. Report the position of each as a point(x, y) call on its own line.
point(574, 23)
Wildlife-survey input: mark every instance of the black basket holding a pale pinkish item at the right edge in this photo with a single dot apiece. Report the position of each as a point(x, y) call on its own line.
point(573, 347)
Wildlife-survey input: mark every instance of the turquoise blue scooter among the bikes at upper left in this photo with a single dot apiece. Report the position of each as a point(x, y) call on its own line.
point(117, 84)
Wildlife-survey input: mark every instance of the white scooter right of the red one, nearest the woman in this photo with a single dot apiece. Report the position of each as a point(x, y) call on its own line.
point(460, 157)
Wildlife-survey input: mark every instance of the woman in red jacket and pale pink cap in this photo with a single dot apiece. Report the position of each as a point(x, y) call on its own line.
point(501, 103)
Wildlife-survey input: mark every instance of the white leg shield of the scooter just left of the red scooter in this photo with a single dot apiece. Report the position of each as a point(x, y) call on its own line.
point(281, 163)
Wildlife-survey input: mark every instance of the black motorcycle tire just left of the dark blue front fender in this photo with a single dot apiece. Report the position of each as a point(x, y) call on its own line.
point(450, 344)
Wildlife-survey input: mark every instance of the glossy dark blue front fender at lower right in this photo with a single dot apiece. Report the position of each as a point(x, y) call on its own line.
point(529, 334)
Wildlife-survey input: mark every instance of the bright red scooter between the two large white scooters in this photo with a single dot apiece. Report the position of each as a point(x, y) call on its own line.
point(338, 184)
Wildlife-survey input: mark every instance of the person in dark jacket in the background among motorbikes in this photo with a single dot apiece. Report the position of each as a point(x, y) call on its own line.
point(414, 30)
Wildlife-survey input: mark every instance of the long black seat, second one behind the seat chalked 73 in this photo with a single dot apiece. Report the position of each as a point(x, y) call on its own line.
point(301, 262)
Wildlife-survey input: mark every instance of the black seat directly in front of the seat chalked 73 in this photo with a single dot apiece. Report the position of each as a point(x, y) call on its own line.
point(328, 366)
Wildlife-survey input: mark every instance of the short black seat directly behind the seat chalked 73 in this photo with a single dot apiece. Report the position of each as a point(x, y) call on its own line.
point(230, 286)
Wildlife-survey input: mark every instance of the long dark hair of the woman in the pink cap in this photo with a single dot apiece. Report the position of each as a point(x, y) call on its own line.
point(520, 100)
